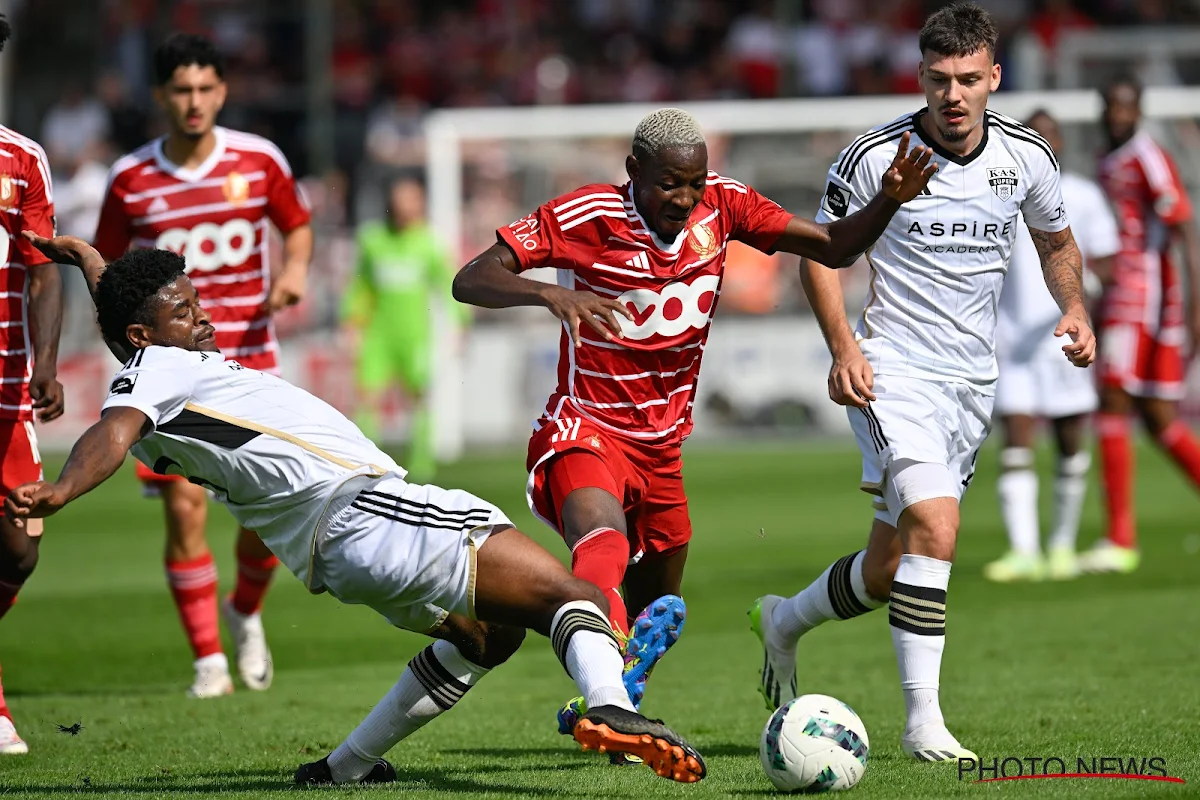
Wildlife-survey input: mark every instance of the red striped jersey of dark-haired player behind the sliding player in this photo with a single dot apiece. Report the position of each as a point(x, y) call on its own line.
point(217, 216)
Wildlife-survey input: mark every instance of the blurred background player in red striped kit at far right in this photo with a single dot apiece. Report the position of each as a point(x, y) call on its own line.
point(1144, 329)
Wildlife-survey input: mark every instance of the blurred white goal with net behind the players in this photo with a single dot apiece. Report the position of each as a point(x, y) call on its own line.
point(765, 369)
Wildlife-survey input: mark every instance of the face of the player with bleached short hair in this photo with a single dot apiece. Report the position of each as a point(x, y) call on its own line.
point(669, 187)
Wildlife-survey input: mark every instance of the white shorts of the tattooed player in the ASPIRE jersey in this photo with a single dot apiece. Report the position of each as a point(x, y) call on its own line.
point(920, 441)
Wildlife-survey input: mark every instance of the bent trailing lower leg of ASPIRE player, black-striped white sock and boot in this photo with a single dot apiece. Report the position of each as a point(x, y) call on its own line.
point(853, 586)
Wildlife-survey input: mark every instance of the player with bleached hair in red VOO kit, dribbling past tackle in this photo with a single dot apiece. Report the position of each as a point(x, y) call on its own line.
point(640, 272)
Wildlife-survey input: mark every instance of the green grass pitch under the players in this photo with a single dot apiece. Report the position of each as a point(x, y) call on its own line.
point(1099, 667)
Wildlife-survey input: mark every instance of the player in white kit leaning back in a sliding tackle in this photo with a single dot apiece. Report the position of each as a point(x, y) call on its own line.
point(340, 515)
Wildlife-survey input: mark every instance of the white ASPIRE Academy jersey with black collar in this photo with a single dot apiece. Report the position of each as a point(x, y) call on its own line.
point(938, 270)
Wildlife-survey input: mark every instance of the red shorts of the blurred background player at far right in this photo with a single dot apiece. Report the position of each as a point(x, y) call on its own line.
point(1143, 363)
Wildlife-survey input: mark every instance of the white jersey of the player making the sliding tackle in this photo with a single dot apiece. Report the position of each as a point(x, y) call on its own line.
point(272, 453)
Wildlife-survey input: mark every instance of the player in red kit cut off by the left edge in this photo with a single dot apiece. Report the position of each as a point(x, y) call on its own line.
point(31, 322)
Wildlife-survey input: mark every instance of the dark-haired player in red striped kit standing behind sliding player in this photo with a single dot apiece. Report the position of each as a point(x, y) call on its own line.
point(211, 195)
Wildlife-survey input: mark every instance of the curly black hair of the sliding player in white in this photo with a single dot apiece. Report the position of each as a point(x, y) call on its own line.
point(127, 288)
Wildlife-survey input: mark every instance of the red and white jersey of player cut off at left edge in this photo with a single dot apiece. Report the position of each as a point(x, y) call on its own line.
point(27, 202)
